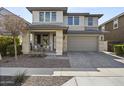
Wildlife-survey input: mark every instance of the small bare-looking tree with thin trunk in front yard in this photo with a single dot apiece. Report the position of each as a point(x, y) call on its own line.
point(15, 26)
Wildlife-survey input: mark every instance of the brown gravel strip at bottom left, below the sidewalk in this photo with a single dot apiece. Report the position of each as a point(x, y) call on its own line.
point(37, 80)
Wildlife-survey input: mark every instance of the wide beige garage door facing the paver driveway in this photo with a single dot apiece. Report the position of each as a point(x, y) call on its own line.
point(82, 43)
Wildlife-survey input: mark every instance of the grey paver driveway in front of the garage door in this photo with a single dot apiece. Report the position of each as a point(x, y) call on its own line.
point(94, 60)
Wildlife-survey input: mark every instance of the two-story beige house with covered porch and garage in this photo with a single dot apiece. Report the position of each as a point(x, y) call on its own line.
point(59, 31)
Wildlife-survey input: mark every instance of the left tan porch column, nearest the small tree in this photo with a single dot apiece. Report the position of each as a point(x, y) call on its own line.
point(25, 43)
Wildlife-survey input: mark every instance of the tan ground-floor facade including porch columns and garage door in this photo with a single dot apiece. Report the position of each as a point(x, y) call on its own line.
point(94, 42)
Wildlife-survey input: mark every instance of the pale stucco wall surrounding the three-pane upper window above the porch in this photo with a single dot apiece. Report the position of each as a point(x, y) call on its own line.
point(35, 17)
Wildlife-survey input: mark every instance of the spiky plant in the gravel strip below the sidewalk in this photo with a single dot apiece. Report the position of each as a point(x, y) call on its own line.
point(19, 78)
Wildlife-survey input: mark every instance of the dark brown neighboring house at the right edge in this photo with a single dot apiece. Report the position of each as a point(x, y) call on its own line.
point(115, 27)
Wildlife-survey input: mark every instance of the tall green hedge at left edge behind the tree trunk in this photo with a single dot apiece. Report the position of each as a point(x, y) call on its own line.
point(5, 42)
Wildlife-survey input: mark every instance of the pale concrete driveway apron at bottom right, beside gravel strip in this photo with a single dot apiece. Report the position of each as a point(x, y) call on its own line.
point(95, 81)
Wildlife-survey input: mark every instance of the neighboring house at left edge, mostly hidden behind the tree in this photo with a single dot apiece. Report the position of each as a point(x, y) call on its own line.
point(4, 32)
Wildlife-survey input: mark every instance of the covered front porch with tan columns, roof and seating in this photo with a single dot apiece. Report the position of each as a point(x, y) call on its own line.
point(44, 39)
